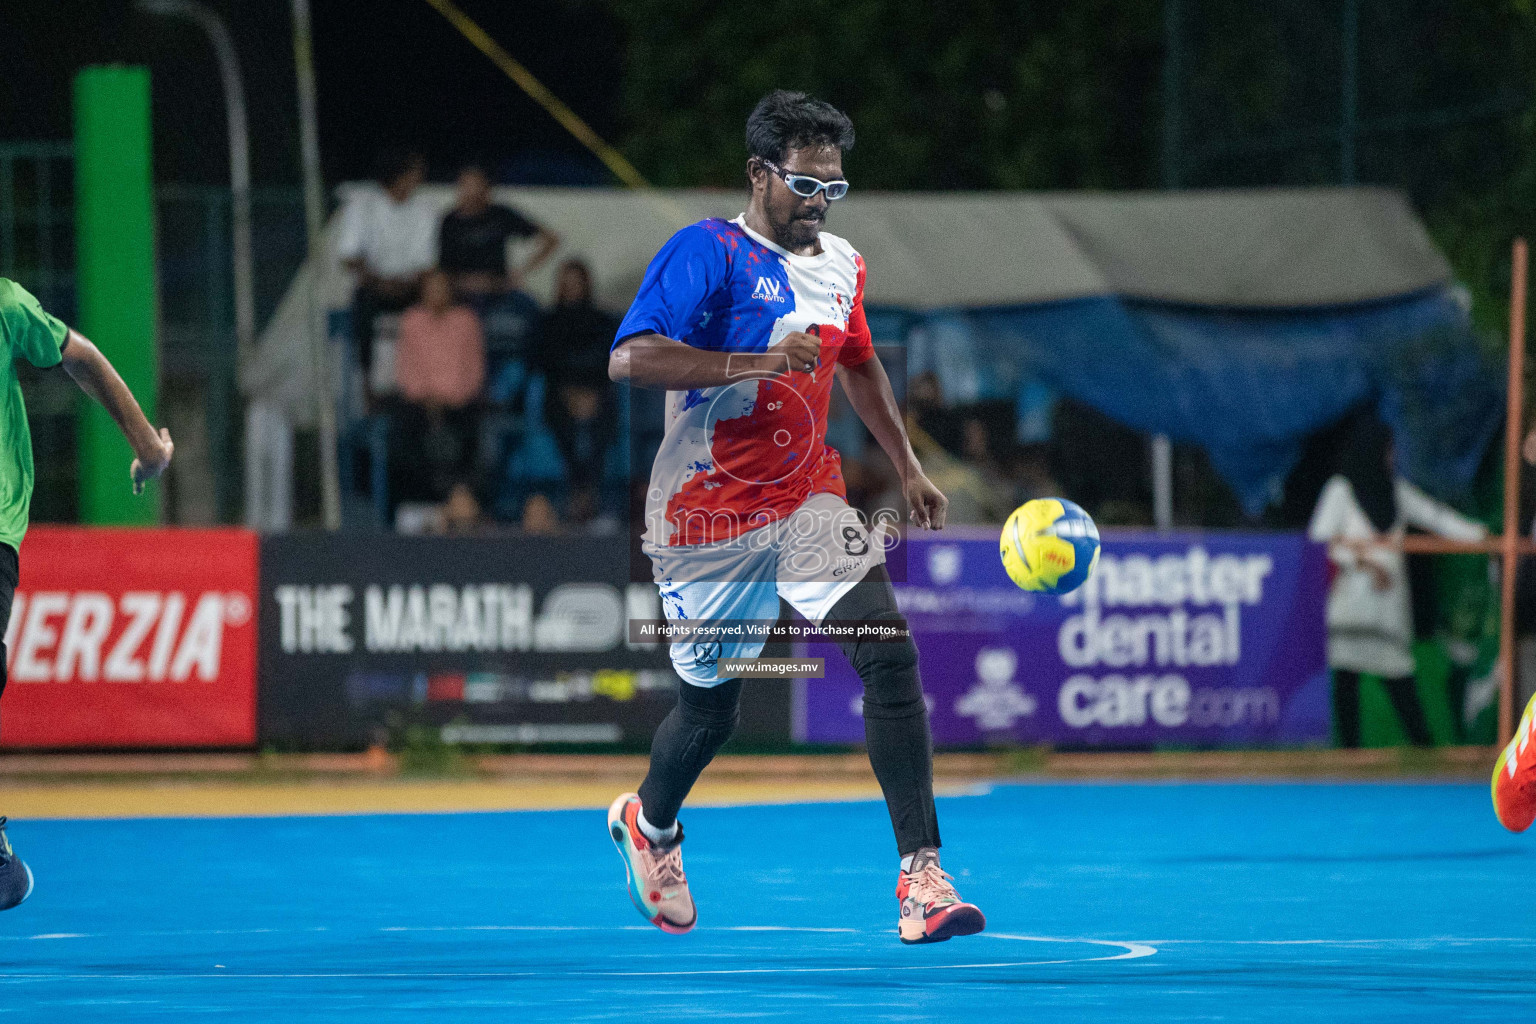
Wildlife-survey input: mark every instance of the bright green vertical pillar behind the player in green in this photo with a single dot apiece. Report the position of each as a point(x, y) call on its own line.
point(116, 277)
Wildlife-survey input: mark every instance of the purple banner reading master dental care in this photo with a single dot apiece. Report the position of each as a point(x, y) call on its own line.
point(1177, 639)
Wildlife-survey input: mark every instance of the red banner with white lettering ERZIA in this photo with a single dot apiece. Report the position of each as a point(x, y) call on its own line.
point(133, 638)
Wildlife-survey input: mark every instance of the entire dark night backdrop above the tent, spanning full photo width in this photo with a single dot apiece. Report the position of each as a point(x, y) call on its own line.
point(947, 94)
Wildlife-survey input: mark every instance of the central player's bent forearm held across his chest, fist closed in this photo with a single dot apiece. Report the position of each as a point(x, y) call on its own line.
point(660, 363)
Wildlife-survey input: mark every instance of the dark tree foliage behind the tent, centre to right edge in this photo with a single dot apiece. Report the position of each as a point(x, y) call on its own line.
point(993, 94)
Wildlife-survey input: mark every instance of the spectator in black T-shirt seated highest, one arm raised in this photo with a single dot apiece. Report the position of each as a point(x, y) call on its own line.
point(472, 245)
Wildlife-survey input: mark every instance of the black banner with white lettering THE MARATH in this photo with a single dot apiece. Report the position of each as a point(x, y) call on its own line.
point(483, 639)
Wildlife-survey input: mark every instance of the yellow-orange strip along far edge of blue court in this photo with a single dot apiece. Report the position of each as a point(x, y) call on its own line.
point(259, 785)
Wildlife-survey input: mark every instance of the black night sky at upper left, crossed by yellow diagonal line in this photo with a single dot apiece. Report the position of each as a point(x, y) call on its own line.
point(388, 73)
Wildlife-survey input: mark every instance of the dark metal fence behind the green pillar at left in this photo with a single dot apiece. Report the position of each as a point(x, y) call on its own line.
point(199, 395)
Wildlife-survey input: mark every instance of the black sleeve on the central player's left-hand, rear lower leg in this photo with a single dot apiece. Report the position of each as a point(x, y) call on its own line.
point(687, 739)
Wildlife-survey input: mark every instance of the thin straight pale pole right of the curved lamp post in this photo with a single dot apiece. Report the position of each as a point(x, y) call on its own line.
point(316, 225)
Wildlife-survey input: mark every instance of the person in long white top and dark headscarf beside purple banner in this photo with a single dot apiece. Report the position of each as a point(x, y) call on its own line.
point(1371, 619)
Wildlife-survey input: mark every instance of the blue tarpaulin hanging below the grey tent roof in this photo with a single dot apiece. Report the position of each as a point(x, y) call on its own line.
point(1248, 386)
